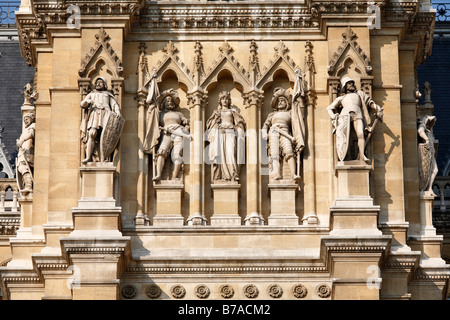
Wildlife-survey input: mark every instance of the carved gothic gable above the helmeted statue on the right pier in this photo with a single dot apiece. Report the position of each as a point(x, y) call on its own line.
point(349, 55)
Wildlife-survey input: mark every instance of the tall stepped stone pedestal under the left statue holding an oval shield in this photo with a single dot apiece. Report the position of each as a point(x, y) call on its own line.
point(96, 247)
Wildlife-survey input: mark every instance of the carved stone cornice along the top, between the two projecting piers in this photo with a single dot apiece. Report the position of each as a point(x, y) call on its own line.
point(198, 16)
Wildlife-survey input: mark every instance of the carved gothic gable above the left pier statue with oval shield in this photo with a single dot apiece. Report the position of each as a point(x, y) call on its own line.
point(101, 55)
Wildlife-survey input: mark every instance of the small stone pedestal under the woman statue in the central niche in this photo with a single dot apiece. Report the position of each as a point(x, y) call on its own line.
point(226, 204)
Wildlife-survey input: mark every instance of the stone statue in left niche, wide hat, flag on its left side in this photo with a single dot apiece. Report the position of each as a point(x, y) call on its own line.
point(166, 129)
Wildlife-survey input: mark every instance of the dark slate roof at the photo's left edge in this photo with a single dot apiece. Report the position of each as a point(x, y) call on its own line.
point(14, 75)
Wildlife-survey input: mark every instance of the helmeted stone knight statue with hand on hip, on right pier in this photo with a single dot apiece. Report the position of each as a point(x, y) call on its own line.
point(350, 116)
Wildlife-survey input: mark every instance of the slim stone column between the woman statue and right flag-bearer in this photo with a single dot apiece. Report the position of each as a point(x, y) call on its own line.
point(253, 100)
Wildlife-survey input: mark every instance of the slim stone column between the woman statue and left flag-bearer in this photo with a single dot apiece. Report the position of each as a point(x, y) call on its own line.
point(197, 98)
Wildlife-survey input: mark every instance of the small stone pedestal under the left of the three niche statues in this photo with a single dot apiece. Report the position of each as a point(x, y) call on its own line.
point(168, 204)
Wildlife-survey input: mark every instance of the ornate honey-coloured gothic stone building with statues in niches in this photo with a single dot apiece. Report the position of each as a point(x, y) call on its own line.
point(134, 104)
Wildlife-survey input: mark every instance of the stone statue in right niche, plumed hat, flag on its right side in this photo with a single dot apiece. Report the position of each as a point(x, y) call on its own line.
point(285, 130)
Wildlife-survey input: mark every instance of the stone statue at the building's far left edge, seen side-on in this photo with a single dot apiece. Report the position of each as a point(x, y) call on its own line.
point(25, 156)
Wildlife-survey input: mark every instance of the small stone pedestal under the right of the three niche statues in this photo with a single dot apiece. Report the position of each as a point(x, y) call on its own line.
point(282, 204)
